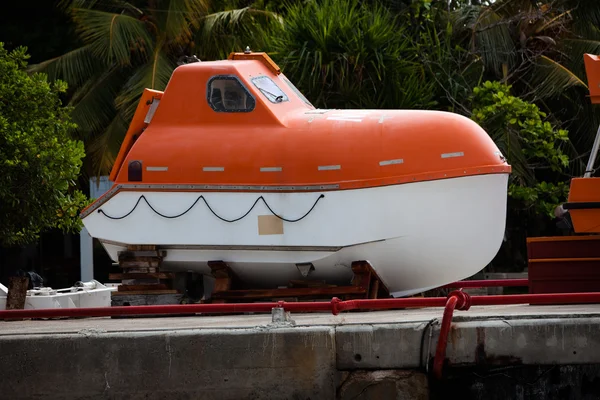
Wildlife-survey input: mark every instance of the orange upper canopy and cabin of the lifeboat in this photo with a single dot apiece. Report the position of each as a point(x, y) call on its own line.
point(239, 124)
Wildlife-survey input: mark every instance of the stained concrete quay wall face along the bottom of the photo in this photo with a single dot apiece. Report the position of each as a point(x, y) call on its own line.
point(488, 358)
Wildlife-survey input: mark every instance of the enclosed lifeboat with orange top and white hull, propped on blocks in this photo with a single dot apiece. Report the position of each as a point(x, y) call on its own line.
point(233, 163)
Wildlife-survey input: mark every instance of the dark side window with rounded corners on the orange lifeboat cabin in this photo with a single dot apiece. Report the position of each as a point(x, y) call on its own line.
point(225, 93)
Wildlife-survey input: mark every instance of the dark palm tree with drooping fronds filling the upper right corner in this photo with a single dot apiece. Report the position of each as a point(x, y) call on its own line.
point(538, 48)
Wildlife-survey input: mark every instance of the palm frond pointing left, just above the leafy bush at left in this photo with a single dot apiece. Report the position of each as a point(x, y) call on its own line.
point(75, 67)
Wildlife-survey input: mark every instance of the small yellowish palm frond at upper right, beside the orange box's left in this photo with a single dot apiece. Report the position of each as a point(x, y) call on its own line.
point(551, 78)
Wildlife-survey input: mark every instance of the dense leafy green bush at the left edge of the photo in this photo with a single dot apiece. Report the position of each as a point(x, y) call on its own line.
point(38, 159)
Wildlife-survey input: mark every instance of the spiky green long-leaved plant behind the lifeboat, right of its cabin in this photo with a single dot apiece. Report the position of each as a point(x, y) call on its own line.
point(351, 54)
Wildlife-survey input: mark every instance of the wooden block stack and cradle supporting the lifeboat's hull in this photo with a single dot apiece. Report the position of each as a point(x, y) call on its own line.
point(143, 283)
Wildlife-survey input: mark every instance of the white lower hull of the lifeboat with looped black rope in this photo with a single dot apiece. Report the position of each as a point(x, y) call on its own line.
point(417, 236)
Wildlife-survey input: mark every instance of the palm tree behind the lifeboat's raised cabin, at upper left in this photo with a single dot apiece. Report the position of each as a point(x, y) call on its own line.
point(129, 46)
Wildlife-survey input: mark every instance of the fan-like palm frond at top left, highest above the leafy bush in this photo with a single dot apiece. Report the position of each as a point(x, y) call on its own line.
point(112, 37)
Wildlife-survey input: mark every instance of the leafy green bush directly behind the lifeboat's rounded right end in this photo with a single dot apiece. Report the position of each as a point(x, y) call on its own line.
point(532, 146)
